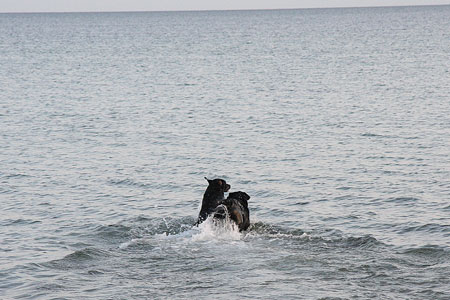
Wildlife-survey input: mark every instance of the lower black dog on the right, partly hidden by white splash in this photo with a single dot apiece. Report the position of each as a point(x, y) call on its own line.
point(236, 207)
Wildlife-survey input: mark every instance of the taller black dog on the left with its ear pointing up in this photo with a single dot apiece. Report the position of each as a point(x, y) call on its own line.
point(212, 198)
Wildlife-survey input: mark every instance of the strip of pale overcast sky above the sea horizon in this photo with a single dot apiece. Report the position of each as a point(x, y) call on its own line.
point(158, 5)
